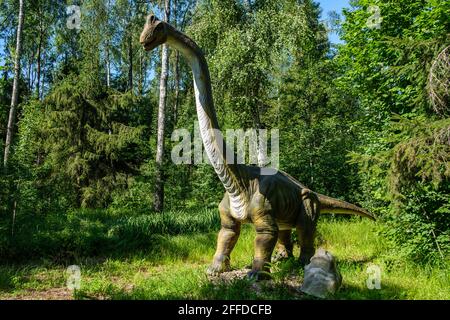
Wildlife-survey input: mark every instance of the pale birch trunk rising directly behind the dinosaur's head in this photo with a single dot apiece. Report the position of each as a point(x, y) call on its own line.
point(159, 183)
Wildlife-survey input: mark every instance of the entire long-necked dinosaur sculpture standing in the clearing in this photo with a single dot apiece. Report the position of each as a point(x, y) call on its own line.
point(275, 204)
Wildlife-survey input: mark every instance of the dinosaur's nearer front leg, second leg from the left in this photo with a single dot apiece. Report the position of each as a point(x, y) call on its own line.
point(265, 240)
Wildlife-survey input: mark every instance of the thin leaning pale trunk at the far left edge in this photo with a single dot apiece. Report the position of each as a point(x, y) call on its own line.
point(15, 91)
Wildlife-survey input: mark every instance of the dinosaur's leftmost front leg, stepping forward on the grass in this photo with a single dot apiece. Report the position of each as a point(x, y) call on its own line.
point(228, 236)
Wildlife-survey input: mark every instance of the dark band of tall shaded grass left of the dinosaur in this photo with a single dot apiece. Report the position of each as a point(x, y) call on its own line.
point(62, 237)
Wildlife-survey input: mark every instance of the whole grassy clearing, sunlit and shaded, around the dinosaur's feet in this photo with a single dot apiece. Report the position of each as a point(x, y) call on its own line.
point(164, 256)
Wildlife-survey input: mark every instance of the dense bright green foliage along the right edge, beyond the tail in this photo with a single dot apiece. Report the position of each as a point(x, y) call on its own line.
point(404, 151)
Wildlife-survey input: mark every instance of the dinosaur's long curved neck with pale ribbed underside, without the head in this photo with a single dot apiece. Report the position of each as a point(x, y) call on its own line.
point(230, 174)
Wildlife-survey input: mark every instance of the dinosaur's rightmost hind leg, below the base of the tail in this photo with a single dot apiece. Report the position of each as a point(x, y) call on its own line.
point(306, 227)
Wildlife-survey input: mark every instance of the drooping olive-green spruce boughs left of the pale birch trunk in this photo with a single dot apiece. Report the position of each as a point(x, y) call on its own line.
point(83, 139)
